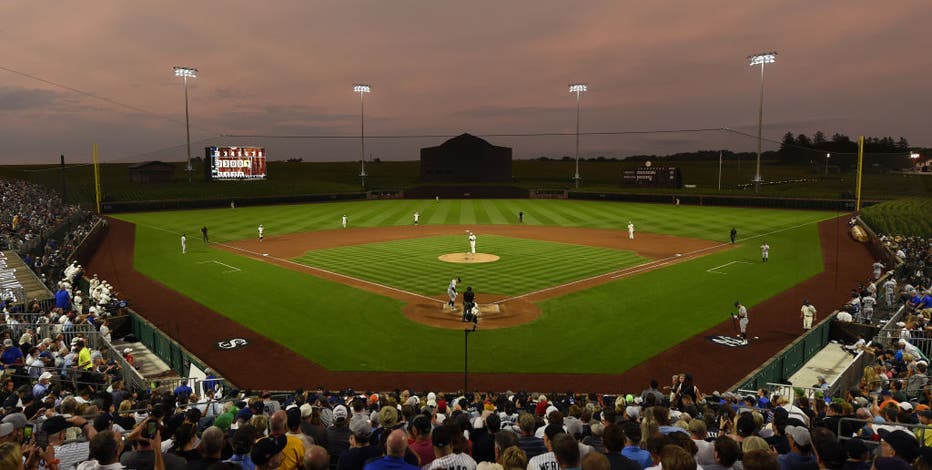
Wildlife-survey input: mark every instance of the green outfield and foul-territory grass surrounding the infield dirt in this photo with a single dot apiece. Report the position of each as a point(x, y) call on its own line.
point(629, 320)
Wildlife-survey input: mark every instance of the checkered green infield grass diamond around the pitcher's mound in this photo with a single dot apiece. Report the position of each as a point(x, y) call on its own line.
point(524, 265)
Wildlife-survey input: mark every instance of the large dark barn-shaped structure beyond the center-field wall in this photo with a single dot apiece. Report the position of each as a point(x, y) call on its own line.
point(466, 159)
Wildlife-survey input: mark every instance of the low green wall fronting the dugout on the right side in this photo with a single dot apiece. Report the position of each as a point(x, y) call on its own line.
point(791, 359)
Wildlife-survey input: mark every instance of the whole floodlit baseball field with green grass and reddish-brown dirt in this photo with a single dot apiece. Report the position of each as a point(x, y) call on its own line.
point(569, 294)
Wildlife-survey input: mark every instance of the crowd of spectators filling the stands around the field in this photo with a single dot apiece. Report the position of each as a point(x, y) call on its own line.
point(66, 403)
